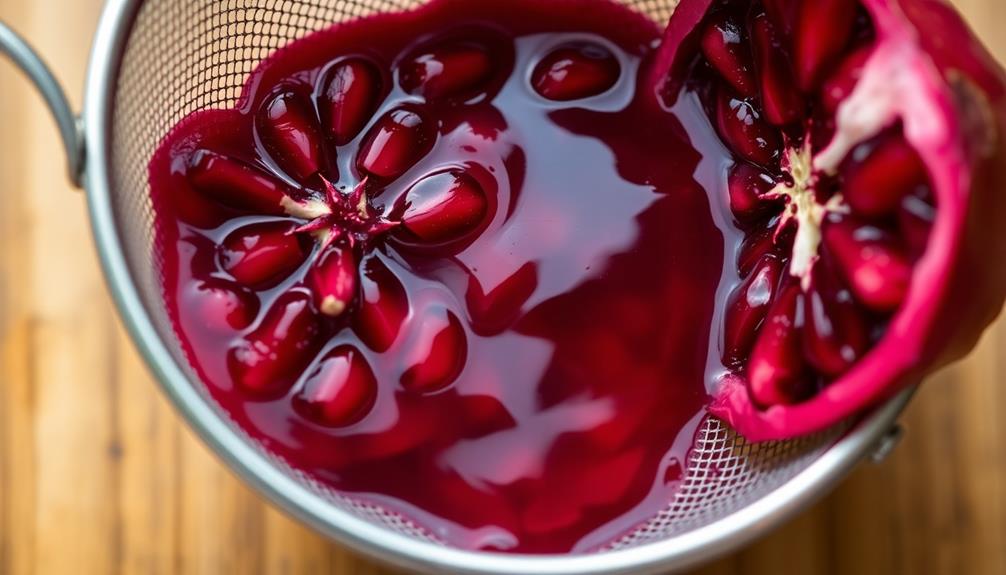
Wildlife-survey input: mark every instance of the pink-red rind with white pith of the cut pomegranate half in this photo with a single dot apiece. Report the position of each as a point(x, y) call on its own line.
point(951, 98)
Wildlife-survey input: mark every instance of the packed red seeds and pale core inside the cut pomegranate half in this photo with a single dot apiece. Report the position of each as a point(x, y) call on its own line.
point(829, 255)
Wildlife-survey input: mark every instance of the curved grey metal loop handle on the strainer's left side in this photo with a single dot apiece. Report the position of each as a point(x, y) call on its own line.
point(29, 61)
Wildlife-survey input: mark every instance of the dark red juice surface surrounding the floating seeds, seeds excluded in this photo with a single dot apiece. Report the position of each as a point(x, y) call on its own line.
point(578, 402)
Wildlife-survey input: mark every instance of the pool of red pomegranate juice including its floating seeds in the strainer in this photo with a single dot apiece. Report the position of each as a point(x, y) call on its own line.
point(453, 263)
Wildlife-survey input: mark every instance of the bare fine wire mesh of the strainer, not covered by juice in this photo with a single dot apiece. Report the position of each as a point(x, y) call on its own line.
point(187, 56)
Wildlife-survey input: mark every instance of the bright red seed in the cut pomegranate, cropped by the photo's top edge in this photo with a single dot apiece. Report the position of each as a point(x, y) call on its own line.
point(823, 31)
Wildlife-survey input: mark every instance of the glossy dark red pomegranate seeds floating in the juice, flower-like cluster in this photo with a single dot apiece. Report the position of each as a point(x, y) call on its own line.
point(328, 233)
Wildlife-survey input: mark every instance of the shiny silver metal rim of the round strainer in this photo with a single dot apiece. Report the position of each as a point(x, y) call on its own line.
point(253, 467)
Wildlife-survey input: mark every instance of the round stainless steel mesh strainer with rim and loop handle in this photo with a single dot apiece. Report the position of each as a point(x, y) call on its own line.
point(154, 63)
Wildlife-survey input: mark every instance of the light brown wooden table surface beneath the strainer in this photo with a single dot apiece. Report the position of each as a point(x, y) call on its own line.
point(99, 476)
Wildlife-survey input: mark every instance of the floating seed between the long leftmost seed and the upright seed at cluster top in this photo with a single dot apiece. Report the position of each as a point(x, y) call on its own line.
point(288, 129)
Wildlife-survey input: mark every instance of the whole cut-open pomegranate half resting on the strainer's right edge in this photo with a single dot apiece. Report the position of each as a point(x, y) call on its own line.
point(869, 179)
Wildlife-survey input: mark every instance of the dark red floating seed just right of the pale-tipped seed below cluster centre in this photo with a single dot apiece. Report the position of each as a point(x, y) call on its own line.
point(384, 306)
